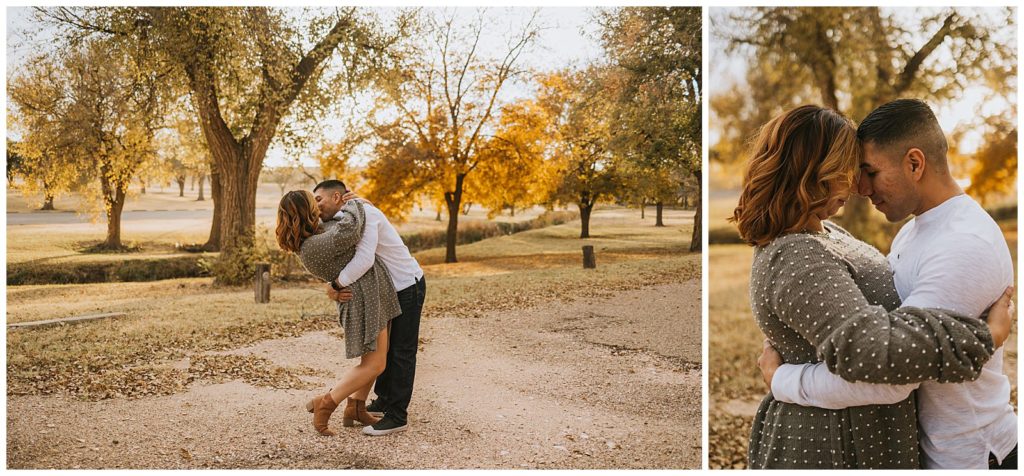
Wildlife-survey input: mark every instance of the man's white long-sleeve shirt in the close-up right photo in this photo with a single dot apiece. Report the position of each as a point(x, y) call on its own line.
point(952, 257)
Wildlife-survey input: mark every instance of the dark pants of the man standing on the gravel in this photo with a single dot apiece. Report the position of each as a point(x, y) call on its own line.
point(395, 386)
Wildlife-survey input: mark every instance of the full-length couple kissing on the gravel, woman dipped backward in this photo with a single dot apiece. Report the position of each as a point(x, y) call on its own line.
point(379, 287)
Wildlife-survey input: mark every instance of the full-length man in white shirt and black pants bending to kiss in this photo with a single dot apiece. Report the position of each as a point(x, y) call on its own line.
point(380, 240)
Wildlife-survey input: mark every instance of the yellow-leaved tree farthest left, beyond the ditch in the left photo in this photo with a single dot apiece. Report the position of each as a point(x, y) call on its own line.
point(107, 108)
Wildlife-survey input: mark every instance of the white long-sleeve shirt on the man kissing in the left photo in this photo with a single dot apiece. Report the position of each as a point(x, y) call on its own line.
point(380, 239)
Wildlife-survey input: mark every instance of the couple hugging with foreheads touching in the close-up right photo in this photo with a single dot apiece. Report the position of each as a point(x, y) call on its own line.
point(875, 363)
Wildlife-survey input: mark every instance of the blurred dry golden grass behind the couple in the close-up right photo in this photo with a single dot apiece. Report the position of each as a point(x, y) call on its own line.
point(735, 343)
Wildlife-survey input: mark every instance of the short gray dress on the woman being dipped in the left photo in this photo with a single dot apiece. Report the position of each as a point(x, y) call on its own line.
point(374, 300)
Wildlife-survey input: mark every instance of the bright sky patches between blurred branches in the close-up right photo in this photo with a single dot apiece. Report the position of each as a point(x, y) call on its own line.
point(728, 70)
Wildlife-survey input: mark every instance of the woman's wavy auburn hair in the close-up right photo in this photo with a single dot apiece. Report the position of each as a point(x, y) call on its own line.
point(796, 160)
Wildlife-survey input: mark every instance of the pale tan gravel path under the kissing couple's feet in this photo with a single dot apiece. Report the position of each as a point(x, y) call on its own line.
point(613, 383)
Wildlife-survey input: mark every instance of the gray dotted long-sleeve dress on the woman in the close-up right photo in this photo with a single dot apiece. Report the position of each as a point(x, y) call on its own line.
point(829, 297)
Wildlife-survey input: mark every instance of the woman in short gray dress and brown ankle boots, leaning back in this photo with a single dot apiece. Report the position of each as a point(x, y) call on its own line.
point(325, 249)
